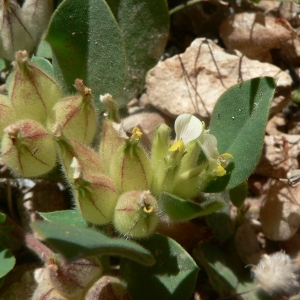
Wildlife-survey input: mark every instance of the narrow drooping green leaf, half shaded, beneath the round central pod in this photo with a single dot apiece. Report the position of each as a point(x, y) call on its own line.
point(77, 242)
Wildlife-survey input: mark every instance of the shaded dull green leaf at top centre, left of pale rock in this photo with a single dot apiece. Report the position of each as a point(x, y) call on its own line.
point(145, 28)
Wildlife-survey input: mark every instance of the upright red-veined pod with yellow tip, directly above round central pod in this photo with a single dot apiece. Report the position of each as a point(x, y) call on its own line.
point(131, 168)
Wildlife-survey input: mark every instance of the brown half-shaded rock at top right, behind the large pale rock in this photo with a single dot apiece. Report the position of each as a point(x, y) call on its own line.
point(254, 34)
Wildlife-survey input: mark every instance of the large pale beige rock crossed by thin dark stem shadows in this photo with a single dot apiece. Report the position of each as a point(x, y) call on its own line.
point(193, 81)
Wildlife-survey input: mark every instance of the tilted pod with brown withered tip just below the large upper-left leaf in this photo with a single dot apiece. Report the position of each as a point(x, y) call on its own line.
point(76, 115)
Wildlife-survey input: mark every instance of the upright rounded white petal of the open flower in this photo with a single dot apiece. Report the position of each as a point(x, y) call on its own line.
point(187, 128)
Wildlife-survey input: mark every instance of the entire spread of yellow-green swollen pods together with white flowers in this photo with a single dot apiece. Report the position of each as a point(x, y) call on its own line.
point(121, 183)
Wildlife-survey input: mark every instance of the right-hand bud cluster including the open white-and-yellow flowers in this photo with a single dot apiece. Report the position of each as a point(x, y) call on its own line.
point(127, 187)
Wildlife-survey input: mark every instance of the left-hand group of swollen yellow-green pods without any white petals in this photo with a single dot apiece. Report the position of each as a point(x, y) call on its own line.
point(37, 124)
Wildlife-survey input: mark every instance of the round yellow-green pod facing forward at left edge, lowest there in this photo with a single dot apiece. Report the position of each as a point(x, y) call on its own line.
point(28, 149)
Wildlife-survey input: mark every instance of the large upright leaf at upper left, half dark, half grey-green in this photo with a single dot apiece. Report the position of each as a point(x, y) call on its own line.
point(87, 43)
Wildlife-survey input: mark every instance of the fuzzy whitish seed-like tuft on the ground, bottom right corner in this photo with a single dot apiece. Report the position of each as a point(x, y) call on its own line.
point(275, 273)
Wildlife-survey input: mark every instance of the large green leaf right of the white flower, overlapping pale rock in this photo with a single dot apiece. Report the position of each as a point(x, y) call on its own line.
point(238, 122)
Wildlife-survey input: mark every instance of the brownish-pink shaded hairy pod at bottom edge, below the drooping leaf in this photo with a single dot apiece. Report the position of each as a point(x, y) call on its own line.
point(72, 280)
